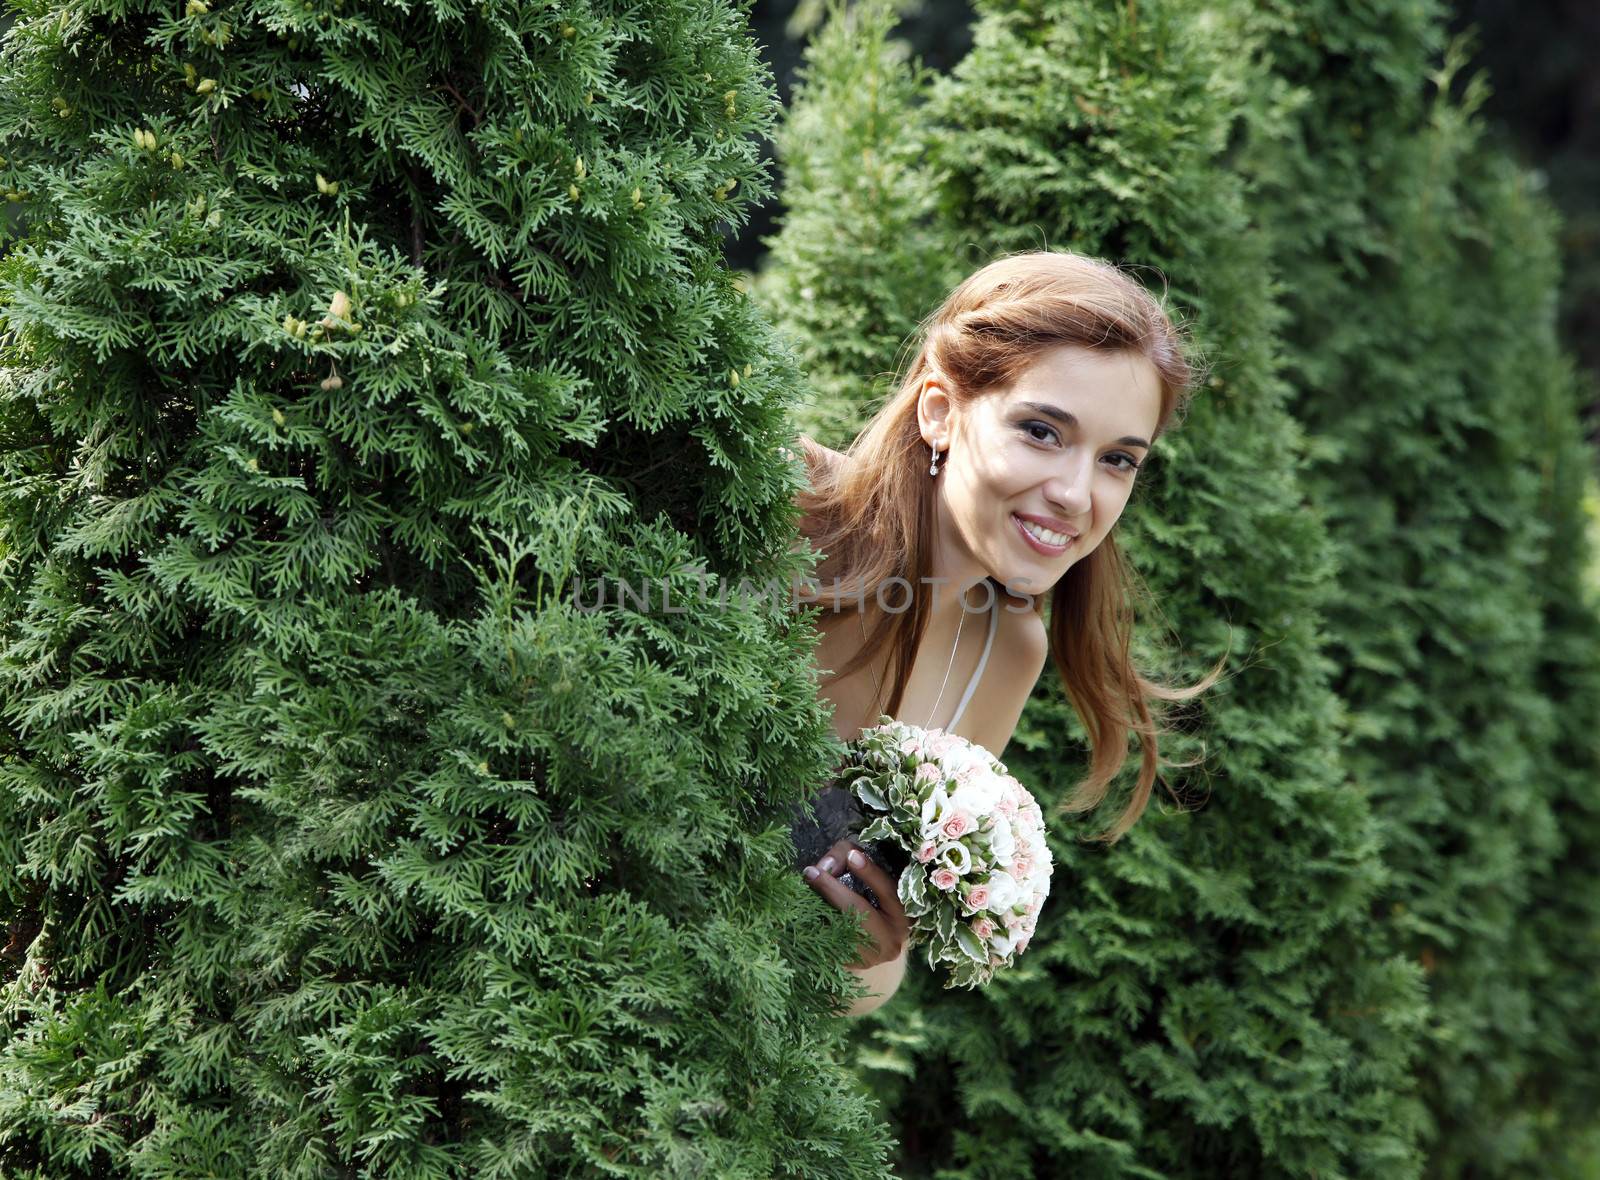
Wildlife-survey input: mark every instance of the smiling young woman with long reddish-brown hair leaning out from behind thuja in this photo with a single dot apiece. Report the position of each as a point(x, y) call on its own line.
point(988, 484)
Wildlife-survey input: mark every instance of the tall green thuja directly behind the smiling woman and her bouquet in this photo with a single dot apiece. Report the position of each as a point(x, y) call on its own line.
point(1202, 999)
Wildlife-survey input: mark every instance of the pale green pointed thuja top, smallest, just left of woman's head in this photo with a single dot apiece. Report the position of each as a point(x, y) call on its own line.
point(860, 257)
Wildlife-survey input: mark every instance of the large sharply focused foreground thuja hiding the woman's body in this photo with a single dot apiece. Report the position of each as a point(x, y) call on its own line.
point(340, 835)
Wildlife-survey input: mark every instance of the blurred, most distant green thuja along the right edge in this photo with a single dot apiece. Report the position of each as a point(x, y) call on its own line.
point(1420, 273)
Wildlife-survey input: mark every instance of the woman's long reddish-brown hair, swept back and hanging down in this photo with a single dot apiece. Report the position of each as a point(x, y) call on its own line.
point(873, 517)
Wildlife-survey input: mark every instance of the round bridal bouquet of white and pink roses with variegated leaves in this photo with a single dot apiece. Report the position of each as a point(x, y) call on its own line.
point(980, 866)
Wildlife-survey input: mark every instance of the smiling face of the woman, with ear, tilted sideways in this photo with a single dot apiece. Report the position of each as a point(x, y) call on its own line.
point(1062, 444)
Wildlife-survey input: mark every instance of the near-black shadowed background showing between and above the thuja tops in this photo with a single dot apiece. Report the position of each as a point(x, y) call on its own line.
point(1545, 110)
